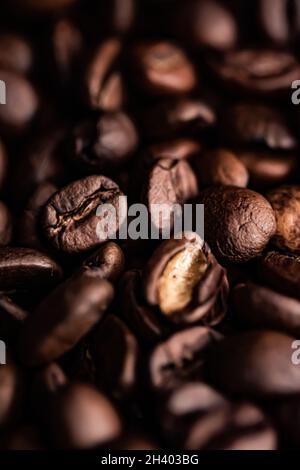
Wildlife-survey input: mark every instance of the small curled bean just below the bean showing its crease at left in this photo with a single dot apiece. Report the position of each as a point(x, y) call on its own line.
point(106, 263)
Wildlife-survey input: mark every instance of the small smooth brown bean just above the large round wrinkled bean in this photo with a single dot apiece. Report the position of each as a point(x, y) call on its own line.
point(222, 167)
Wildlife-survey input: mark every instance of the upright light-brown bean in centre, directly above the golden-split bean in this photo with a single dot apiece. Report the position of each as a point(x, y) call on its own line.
point(169, 183)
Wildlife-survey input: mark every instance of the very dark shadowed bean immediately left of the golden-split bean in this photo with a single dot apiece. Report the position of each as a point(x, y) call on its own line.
point(138, 315)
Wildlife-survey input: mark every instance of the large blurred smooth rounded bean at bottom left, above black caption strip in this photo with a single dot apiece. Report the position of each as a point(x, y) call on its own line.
point(81, 403)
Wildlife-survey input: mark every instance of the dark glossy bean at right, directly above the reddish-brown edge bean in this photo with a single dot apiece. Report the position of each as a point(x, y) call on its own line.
point(252, 124)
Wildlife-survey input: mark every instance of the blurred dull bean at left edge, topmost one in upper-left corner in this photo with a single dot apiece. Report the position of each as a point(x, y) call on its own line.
point(15, 53)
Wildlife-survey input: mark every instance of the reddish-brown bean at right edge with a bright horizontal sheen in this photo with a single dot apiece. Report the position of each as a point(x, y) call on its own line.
point(266, 168)
